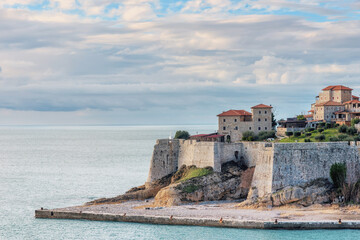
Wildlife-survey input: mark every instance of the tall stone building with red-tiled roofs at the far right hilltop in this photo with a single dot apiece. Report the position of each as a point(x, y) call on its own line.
point(336, 104)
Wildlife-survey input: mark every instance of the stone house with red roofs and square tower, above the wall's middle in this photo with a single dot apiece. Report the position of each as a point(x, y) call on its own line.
point(233, 123)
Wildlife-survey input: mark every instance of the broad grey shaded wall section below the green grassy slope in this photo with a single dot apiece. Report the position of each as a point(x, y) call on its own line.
point(299, 163)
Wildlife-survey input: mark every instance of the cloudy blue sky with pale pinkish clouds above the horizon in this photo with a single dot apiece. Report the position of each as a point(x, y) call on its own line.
point(153, 62)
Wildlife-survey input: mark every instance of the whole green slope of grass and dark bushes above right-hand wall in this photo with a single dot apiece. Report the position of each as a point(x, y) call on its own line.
point(341, 133)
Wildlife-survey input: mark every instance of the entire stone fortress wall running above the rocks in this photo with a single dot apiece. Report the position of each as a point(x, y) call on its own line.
point(276, 164)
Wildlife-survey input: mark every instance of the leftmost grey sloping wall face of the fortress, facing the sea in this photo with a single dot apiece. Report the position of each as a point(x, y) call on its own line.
point(164, 160)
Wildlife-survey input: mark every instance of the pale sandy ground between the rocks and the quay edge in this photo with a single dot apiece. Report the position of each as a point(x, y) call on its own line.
point(226, 210)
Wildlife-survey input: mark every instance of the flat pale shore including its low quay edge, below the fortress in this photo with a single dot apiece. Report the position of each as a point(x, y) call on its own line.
point(218, 214)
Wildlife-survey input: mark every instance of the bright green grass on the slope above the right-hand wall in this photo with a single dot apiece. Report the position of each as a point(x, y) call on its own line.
point(330, 135)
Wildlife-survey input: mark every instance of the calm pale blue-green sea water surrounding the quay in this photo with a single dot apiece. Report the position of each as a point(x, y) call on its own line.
point(62, 166)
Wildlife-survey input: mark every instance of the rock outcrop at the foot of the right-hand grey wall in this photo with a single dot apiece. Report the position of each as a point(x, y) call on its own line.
point(318, 191)
